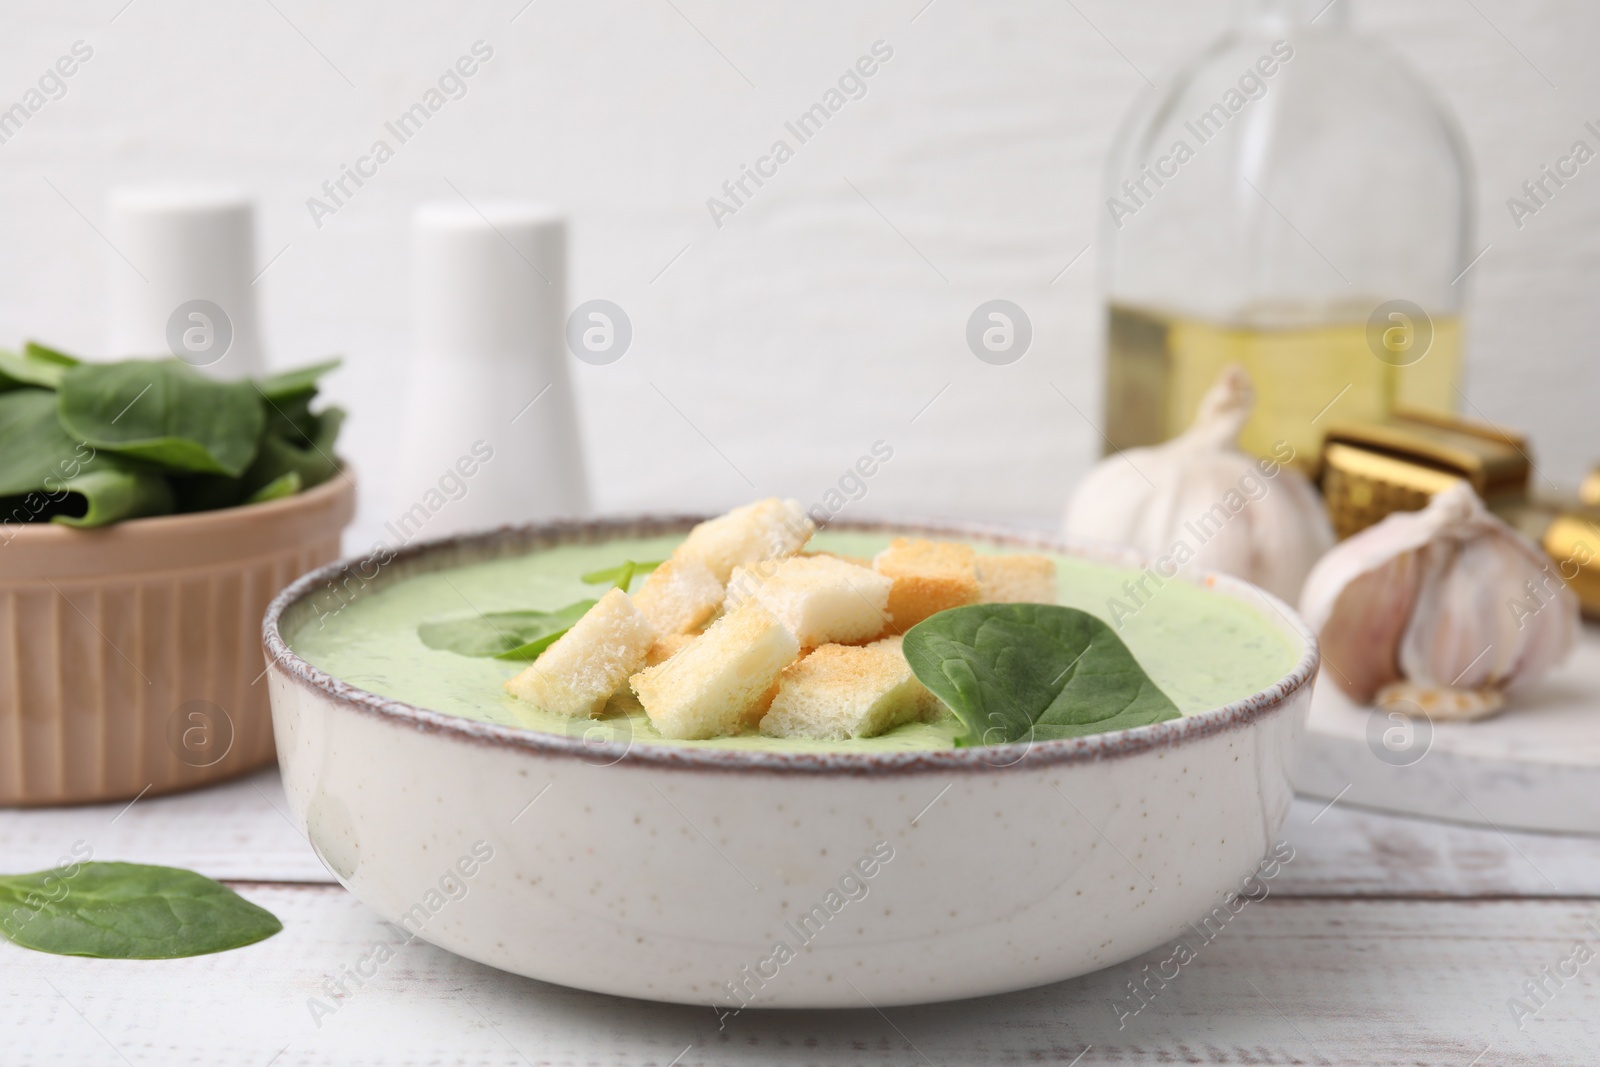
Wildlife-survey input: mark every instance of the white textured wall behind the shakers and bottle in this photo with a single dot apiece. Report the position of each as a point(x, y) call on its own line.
point(806, 329)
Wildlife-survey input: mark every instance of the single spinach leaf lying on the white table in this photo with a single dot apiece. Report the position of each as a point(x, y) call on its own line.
point(129, 913)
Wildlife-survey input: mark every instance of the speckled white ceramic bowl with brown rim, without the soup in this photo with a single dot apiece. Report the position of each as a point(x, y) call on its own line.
point(782, 881)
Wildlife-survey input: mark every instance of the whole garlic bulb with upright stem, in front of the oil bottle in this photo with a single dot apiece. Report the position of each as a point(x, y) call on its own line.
point(1198, 502)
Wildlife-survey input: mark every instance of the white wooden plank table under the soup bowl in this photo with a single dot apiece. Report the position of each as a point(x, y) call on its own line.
point(1385, 941)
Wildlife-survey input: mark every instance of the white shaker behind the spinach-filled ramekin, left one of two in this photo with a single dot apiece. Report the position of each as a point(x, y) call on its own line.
point(183, 279)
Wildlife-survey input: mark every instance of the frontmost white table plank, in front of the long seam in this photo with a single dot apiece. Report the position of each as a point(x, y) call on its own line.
point(1286, 983)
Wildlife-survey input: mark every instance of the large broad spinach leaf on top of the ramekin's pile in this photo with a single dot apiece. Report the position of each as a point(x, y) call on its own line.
point(164, 412)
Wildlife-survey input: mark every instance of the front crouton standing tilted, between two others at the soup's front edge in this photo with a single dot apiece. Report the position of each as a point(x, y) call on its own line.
point(713, 687)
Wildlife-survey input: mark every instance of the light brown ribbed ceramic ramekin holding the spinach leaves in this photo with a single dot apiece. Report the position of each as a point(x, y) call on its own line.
point(130, 658)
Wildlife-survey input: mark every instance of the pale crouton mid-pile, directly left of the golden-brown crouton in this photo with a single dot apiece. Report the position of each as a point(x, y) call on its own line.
point(822, 601)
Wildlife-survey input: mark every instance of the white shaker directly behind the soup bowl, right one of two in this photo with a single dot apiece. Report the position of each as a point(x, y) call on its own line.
point(490, 433)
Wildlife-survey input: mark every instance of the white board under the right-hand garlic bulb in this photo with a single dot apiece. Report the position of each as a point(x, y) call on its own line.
point(1535, 765)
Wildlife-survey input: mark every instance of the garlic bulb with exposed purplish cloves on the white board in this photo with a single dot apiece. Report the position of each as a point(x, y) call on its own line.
point(1447, 610)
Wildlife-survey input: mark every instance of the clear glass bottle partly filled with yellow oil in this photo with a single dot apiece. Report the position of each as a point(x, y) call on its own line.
point(1294, 201)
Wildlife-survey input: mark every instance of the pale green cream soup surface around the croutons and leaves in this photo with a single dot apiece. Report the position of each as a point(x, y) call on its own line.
point(1204, 650)
